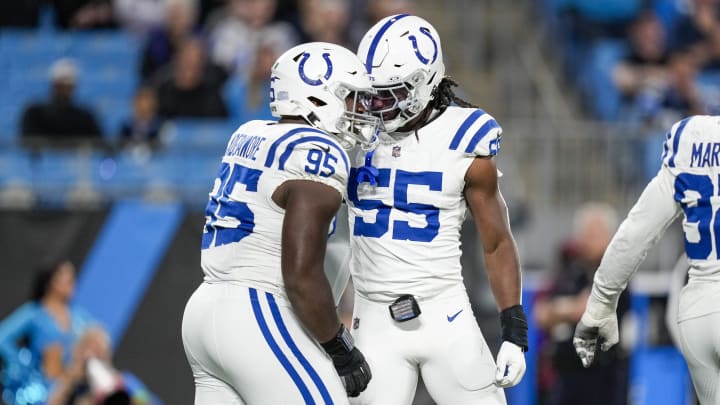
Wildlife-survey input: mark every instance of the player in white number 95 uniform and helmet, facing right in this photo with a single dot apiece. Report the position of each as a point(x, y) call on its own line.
point(262, 327)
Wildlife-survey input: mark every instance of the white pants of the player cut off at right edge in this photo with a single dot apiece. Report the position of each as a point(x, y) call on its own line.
point(700, 345)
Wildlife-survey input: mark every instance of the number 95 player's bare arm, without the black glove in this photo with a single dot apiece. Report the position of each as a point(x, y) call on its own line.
point(309, 209)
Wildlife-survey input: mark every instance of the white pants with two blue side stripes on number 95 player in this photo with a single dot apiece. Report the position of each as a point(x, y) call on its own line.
point(246, 346)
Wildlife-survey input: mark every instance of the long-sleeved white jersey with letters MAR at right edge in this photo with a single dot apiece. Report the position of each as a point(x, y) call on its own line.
point(688, 182)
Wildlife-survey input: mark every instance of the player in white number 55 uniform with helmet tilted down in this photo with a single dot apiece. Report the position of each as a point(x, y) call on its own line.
point(408, 199)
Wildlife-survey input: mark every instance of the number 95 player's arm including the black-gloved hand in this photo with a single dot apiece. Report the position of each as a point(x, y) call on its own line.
point(309, 209)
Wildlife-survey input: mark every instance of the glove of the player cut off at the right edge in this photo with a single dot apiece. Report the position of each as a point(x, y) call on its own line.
point(599, 321)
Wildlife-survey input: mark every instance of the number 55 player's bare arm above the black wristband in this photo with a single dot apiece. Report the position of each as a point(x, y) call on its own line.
point(491, 220)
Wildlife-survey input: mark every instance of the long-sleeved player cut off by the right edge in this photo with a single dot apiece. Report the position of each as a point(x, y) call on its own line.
point(688, 183)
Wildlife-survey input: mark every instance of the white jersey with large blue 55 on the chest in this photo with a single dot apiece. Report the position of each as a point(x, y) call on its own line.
point(405, 228)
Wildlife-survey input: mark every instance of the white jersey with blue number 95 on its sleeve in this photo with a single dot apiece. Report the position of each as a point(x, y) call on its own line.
point(242, 234)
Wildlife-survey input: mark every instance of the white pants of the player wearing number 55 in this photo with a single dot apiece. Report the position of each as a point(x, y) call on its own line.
point(444, 344)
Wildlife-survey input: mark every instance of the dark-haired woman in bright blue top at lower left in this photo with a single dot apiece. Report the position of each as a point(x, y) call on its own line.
point(48, 326)
